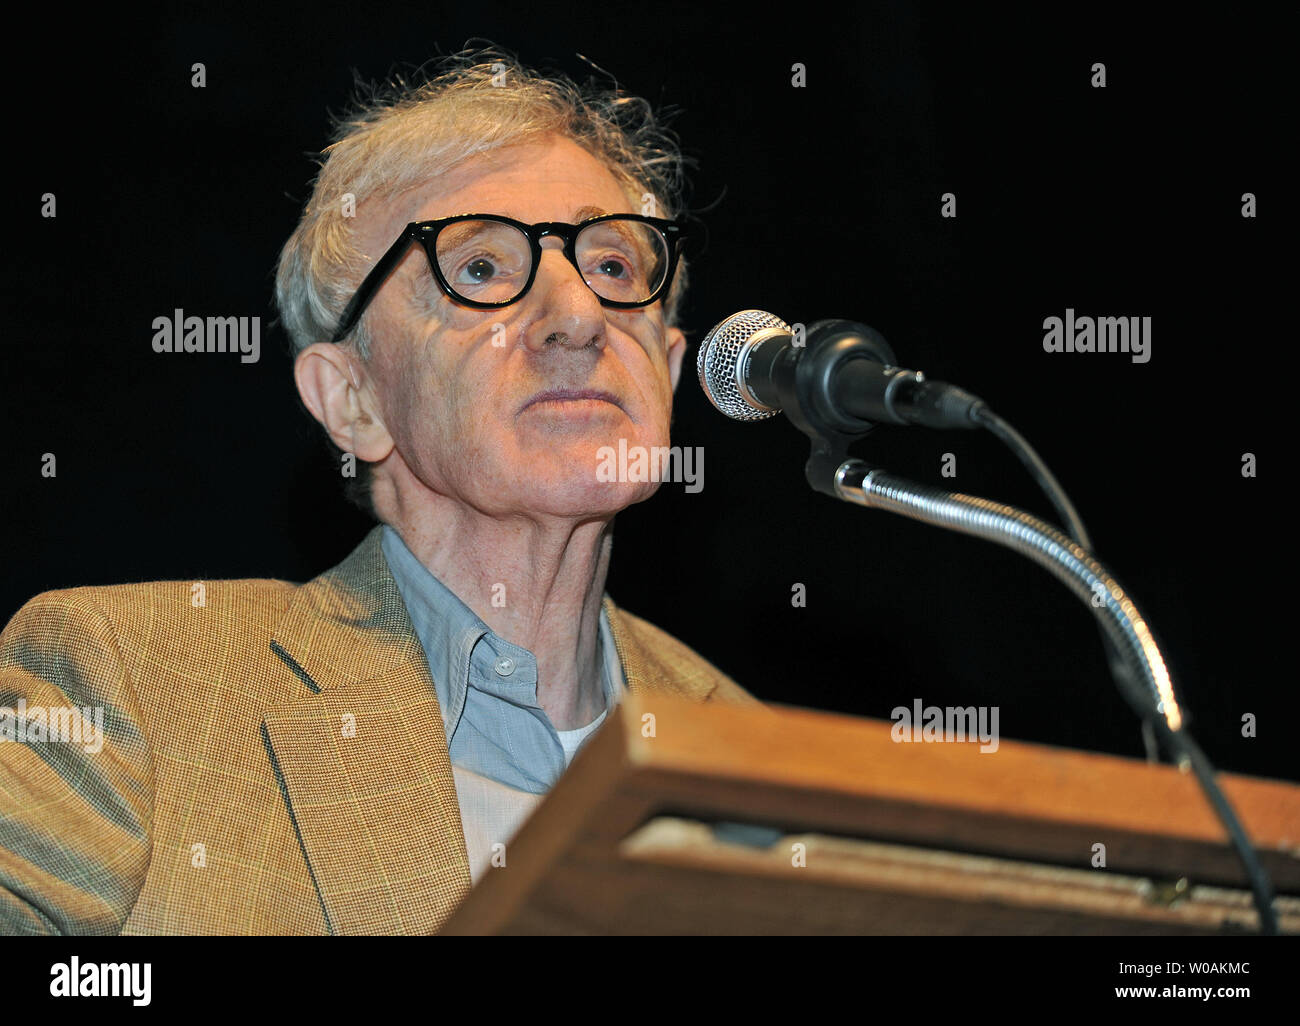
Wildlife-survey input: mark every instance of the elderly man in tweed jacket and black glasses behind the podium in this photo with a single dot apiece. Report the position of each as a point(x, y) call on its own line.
point(482, 296)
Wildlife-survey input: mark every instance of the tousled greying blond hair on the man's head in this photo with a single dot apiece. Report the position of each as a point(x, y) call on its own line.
point(401, 135)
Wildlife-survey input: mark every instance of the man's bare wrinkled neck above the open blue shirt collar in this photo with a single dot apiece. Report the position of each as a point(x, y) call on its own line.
point(538, 583)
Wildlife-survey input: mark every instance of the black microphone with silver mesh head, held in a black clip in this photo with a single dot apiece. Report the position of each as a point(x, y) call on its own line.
point(843, 380)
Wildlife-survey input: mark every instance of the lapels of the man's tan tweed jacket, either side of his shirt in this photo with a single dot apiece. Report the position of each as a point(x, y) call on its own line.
point(363, 760)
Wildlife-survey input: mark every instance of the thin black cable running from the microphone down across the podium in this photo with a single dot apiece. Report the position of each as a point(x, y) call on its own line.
point(1180, 743)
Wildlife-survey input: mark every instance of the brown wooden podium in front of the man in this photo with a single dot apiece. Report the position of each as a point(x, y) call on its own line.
point(686, 819)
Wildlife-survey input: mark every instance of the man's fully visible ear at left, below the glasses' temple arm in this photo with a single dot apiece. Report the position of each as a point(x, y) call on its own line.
point(340, 395)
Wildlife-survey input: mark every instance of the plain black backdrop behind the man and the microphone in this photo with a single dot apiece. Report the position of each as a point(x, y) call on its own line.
point(820, 202)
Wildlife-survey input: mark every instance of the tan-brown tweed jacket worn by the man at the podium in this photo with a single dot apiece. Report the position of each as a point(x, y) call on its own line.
point(227, 798)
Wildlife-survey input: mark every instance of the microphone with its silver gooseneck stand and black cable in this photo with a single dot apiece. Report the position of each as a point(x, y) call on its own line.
point(824, 389)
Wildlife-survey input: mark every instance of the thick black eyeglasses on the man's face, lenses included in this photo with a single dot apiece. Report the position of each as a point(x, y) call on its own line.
point(487, 261)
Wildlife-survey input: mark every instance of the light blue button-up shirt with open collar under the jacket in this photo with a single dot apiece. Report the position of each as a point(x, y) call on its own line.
point(488, 687)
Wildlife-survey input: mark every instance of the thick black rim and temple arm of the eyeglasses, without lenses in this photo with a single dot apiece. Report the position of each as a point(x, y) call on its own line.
point(427, 235)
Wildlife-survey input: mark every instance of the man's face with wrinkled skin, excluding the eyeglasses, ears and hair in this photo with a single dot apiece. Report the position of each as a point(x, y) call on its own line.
point(458, 388)
